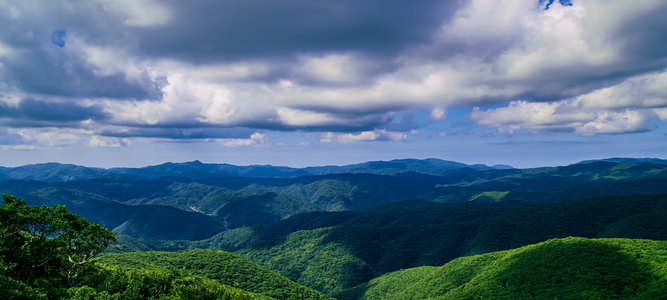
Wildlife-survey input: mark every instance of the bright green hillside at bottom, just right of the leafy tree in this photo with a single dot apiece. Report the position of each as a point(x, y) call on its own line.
point(223, 267)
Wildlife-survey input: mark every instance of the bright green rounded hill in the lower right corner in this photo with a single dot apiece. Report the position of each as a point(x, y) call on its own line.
point(570, 268)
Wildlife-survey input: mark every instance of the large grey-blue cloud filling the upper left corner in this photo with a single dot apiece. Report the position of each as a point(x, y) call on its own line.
point(46, 46)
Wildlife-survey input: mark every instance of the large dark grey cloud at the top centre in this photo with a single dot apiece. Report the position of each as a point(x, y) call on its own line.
point(206, 31)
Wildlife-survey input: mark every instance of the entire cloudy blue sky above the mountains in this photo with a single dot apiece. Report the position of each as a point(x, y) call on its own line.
point(529, 83)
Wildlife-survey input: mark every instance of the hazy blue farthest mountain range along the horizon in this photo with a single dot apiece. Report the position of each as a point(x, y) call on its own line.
point(55, 172)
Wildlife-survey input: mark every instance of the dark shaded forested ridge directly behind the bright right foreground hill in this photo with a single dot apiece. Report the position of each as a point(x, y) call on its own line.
point(360, 245)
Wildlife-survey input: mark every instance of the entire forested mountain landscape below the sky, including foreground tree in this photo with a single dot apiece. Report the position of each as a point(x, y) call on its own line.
point(402, 229)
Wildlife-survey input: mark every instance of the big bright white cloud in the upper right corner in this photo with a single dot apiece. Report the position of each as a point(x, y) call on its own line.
point(512, 49)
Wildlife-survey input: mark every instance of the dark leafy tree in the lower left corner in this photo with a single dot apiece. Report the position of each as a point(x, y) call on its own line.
point(47, 245)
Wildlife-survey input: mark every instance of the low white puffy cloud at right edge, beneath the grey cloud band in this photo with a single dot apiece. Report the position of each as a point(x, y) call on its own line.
point(622, 108)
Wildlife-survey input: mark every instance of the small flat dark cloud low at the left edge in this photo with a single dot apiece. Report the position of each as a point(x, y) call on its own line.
point(34, 113)
